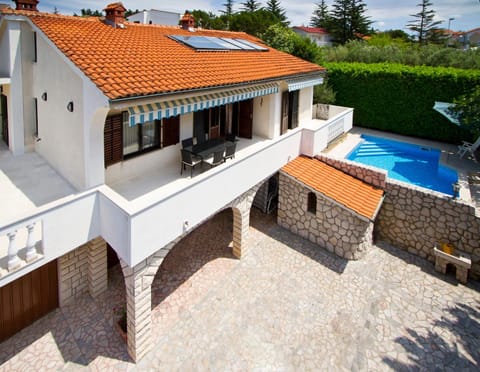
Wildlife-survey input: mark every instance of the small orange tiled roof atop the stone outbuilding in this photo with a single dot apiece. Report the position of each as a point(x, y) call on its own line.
point(349, 191)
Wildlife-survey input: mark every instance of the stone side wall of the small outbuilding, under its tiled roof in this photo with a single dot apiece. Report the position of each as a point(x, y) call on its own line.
point(333, 227)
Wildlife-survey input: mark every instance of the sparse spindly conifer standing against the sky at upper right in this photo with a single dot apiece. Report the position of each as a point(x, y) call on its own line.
point(424, 25)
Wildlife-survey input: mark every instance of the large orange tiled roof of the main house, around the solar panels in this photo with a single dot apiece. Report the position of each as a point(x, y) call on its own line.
point(141, 59)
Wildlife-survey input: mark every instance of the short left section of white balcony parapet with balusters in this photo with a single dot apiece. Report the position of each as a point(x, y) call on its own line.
point(52, 231)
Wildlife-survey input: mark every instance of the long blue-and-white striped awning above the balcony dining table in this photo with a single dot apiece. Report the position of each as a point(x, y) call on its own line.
point(160, 110)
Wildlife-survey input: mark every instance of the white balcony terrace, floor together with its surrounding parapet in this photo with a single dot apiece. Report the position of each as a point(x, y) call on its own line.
point(46, 217)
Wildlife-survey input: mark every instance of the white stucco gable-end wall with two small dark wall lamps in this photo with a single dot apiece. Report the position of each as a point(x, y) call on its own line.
point(60, 132)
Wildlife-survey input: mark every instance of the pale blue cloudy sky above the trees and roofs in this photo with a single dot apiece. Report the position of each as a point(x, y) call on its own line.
point(385, 14)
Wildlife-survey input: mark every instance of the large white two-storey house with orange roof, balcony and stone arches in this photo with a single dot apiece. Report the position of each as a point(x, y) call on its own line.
point(93, 114)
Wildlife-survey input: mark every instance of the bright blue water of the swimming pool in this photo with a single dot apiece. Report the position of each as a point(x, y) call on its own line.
point(406, 162)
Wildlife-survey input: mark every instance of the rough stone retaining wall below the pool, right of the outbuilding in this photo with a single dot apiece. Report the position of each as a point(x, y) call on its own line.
point(415, 220)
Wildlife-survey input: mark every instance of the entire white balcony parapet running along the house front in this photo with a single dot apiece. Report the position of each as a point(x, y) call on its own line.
point(140, 224)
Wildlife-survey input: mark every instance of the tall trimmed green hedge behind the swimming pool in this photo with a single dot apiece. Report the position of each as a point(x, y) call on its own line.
point(399, 98)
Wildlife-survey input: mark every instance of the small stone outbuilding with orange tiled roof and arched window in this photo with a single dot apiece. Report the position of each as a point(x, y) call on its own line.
point(328, 207)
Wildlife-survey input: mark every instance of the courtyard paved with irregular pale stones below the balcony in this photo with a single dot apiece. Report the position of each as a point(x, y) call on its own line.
point(288, 305)
